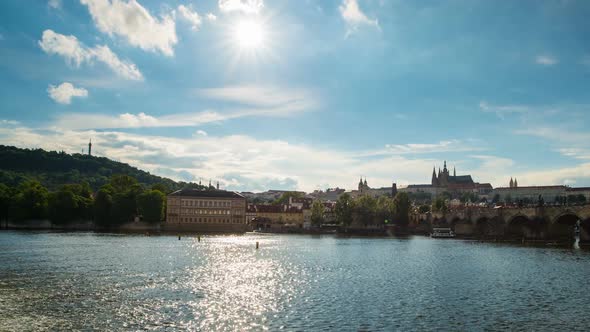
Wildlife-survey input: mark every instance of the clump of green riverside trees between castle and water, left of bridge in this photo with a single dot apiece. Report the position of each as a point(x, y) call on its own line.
point(366, 210)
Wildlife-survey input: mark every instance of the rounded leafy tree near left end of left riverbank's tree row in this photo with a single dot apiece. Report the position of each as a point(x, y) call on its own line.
point(31, 200)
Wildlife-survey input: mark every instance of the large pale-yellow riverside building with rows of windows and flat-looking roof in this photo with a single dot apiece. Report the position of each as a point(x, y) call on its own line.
point(206, 210)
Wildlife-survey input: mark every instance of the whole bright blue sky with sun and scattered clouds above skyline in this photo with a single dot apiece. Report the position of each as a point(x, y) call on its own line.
point(304, 94)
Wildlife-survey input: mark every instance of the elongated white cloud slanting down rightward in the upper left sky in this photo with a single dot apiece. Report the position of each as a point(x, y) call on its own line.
point(77, 53)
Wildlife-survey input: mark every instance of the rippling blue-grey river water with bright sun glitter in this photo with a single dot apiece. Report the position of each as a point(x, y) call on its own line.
point(88, 281)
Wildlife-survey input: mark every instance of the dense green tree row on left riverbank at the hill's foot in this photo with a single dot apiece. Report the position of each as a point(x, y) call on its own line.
point(120, 200)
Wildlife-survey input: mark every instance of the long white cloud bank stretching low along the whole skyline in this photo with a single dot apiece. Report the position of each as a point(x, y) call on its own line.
point(236, 160)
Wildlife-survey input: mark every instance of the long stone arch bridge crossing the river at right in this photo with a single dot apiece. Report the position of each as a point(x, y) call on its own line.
point(546, 222)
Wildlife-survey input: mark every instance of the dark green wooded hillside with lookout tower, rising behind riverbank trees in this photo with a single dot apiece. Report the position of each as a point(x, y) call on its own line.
point(54, 169)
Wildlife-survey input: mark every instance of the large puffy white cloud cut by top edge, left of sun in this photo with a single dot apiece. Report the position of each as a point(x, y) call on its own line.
point(131, 21)
